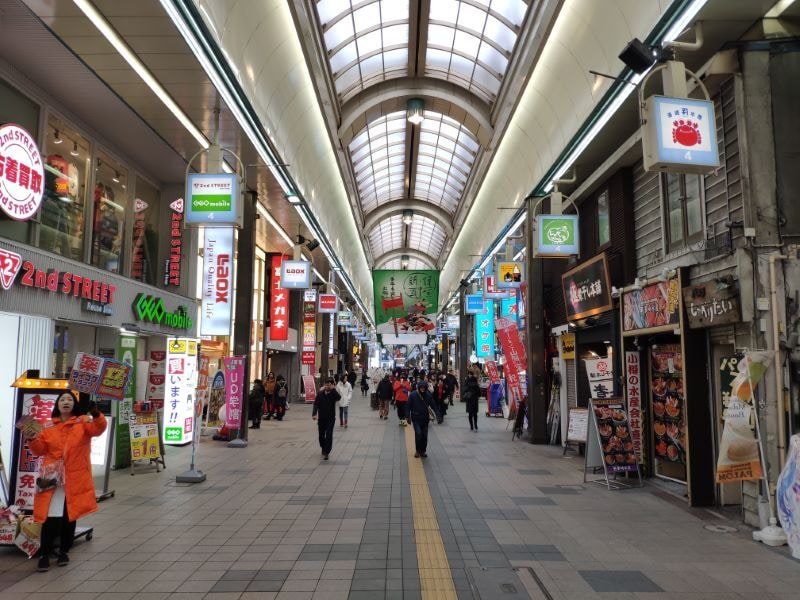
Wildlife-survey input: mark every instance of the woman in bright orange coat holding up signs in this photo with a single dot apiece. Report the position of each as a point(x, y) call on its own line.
point(69, 494)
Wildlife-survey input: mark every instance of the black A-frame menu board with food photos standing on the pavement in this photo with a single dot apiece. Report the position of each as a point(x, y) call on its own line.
point(614, 433)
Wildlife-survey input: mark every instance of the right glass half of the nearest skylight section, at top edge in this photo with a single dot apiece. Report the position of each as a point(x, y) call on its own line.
point(470, 42)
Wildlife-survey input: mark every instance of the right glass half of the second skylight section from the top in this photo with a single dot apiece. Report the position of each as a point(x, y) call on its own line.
point(447, 151)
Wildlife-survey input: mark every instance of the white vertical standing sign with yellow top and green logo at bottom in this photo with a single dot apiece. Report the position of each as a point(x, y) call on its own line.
point(181, 381)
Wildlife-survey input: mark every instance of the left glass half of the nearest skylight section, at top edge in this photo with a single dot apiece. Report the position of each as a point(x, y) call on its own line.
point(366, 41)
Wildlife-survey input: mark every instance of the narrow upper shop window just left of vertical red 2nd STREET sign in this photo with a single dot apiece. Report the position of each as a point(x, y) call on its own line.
point(144, 244)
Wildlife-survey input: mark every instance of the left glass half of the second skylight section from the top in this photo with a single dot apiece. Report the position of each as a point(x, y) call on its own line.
point(378, 157)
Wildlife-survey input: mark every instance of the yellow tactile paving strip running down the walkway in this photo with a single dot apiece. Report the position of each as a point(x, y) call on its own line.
point(436, 580)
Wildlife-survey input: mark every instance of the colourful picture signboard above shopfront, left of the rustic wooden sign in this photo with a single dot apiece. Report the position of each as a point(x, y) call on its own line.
point(655, 305)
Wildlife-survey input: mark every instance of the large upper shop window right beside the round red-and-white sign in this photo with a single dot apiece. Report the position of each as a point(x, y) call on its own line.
point(66, 168)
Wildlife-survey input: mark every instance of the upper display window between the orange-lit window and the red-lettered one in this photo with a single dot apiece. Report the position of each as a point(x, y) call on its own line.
point(108, 222)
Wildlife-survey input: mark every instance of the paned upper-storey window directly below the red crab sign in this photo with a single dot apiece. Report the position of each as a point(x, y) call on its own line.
point(684, 209)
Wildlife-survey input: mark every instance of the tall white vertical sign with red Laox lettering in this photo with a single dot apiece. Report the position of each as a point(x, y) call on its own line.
point(217, 299)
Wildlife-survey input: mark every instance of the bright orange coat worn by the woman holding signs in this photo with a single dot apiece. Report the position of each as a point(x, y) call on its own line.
point(70, 440)
